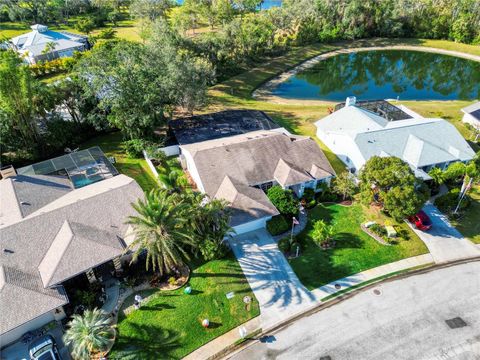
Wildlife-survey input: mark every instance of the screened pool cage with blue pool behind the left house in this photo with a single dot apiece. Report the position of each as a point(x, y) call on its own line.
point(82, 167)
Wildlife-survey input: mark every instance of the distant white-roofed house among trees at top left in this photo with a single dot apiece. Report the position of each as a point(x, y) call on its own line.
point(43, 44)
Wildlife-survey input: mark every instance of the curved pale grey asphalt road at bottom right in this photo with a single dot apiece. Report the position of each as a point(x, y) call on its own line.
point(403, 319)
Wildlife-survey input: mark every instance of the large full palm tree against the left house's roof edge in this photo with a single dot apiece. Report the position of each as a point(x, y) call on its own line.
point(161, 229)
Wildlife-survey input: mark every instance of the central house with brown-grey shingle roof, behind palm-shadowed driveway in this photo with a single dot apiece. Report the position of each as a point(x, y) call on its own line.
point(241, 168)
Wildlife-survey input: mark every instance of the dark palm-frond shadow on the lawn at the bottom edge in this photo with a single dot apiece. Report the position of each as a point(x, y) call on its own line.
point(148, 342)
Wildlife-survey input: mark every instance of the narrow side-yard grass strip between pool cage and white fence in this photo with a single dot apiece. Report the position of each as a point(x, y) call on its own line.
point(135, 168)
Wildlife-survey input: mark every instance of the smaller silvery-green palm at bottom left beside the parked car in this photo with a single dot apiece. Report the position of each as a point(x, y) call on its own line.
point(89, 333)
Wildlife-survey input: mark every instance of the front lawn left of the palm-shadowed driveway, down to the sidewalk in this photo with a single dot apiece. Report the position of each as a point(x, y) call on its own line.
point(168, 325)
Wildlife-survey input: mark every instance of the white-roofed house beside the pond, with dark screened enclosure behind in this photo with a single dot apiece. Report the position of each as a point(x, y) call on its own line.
point(356, 131)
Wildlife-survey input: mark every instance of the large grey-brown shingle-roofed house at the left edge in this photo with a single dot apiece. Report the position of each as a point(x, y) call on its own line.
point(53, 229)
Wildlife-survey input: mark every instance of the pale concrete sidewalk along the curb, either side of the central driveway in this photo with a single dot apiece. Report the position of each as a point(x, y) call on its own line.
point(226, 340)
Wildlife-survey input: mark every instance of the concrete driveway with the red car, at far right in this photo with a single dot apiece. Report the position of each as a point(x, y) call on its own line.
point(444, 242)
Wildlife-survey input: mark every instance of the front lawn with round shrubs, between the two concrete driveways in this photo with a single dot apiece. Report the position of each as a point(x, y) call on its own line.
point(354, 252)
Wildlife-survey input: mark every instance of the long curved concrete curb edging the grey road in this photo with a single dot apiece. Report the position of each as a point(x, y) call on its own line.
point(236, 348)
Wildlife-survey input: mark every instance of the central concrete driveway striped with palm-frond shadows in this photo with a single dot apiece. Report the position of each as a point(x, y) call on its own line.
point(271, 278)
